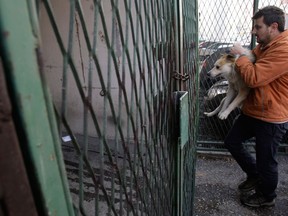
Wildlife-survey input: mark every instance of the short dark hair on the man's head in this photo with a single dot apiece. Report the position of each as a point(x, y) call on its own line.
point(271, 14)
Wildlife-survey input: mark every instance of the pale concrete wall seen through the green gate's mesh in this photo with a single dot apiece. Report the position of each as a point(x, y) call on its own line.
point(53, 63)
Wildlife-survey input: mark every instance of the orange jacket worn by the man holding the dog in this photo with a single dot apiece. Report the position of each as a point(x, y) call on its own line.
point(268, 80)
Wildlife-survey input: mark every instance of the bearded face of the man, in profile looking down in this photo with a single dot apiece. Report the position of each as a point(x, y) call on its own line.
point(261, 31)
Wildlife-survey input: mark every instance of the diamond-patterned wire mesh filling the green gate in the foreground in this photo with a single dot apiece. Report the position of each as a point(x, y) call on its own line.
point(109, 65)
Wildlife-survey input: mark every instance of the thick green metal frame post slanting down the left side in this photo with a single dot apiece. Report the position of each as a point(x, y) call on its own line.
point(19, 42)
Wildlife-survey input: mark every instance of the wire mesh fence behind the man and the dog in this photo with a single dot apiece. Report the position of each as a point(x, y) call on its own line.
point(221, 23)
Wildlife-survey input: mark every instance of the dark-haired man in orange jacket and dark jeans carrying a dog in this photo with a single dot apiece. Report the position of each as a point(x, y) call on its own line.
point(265, 110)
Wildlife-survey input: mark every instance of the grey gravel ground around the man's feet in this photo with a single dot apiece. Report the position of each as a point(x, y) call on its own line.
point(217, 178)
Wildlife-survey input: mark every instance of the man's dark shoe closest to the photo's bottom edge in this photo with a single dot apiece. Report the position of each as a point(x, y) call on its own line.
point(257, 200)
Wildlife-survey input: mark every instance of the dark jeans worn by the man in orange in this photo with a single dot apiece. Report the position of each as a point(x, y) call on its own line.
point(268, 136)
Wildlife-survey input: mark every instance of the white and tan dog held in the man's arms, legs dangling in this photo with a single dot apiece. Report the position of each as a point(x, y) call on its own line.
point(237, 89)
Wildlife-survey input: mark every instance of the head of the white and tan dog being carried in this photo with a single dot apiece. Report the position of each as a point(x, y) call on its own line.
point(223, 66)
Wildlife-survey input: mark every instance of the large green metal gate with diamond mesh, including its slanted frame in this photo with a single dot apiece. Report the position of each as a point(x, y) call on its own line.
point(123, 76)
